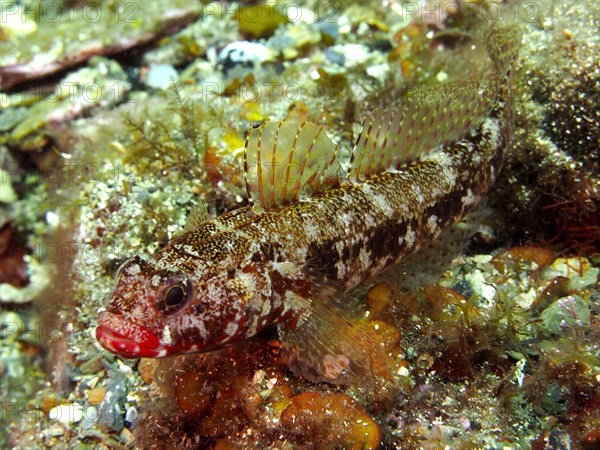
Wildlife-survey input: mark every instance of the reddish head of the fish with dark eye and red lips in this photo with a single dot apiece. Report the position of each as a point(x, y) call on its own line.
point(158, 311)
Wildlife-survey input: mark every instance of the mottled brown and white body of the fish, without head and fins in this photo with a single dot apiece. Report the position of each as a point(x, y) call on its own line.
point(353, 232)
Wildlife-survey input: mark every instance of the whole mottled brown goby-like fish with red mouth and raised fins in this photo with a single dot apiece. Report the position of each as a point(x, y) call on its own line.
point(313, 232)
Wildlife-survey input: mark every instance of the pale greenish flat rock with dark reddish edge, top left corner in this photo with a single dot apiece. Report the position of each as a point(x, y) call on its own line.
point(55, 45)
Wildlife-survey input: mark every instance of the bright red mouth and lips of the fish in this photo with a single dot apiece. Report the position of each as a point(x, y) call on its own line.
point(130, 341)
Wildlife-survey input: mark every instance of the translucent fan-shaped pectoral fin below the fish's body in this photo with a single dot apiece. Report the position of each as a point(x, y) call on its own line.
point(332, 341)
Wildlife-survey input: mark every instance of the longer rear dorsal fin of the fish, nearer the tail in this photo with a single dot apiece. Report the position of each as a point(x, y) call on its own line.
point(425, 120)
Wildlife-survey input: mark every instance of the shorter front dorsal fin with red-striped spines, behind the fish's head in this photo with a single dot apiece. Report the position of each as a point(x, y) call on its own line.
point(285, 159)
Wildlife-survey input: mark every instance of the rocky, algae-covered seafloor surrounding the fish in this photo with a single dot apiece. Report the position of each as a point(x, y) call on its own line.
point(121, 120)
